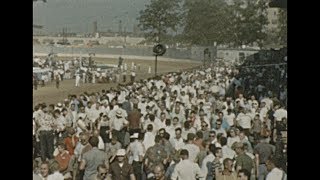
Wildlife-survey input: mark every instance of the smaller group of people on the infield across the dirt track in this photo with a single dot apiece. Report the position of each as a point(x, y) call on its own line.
point(82, 70)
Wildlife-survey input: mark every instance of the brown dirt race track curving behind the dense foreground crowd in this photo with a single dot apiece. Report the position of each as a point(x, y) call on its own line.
point(50, 94)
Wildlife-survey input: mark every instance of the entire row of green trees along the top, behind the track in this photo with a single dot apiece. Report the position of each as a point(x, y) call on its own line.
point(209, 22)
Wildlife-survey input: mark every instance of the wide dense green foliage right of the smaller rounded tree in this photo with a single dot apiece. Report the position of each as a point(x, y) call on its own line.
point(236, 24)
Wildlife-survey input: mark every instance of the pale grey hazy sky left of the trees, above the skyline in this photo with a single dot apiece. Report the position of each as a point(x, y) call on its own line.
point(79, 15)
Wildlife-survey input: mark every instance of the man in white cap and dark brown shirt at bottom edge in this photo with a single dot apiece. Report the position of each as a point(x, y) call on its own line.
point(121, 169)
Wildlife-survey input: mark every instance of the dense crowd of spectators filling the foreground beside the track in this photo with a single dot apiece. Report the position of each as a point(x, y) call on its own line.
point(212, 122)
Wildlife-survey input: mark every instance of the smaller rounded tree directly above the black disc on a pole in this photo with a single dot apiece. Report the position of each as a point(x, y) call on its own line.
point(159, 17)
